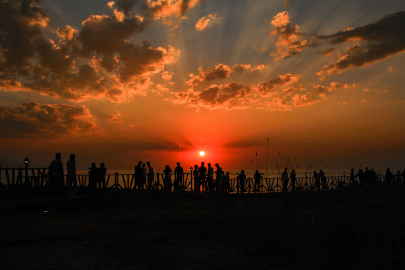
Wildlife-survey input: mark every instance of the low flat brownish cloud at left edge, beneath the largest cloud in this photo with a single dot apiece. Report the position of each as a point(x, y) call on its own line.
point(34, 120)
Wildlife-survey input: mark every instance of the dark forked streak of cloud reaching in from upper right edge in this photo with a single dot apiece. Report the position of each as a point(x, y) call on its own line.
point(376, 41)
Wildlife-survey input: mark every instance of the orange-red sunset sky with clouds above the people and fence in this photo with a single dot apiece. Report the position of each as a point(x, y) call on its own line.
point(159, 81)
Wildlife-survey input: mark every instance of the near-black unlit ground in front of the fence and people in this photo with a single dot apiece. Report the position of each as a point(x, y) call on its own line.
point(350, 229)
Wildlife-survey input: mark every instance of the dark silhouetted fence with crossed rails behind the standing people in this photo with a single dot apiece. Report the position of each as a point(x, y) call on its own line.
point(36, 180)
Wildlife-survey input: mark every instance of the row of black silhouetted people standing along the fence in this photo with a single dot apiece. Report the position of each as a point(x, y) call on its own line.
point(204, 178)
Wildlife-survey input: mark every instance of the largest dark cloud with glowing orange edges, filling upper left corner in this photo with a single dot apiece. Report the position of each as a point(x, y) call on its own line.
point(96, 61)
